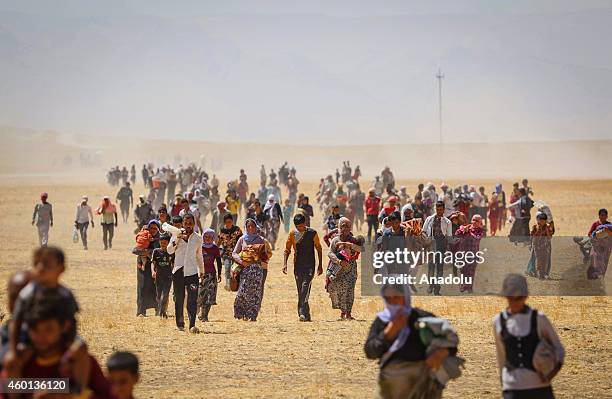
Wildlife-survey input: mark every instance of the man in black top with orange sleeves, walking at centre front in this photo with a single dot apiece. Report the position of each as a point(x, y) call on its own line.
point(303, 241)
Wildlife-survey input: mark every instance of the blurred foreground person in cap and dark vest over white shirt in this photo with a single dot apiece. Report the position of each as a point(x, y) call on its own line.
point(529, 352)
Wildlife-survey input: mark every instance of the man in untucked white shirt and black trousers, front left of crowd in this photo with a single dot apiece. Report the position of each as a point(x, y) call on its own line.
point(188, 268)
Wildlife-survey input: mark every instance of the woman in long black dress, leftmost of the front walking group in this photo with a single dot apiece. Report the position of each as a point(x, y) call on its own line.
point(146, 295)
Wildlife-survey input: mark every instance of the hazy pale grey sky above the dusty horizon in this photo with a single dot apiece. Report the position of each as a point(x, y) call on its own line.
point(309, 71)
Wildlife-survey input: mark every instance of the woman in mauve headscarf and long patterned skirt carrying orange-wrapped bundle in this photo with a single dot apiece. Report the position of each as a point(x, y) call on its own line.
point(251, 254)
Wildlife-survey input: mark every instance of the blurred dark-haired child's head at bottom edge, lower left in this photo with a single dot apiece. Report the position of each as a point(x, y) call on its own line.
point(123, 374)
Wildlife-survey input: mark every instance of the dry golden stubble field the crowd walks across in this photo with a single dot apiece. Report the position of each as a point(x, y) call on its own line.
point(277, 356)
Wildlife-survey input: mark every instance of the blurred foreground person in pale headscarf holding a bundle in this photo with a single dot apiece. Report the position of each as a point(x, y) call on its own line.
point(406, 362)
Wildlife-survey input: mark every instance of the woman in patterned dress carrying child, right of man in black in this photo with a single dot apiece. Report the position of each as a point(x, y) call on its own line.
point(344, 250)
